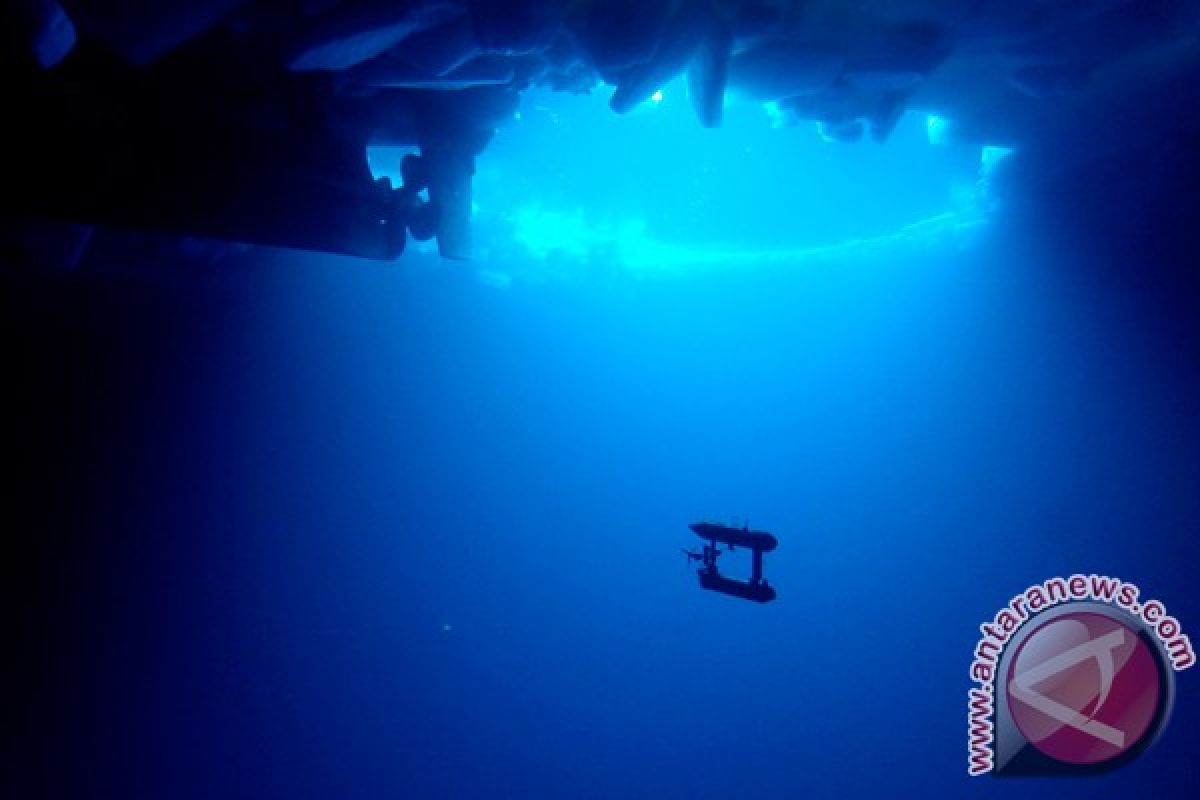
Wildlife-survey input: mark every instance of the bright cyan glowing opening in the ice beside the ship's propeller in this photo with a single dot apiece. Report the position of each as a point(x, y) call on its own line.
point(581, 193)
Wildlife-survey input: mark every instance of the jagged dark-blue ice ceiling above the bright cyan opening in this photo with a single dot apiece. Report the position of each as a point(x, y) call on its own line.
point(1001, 71)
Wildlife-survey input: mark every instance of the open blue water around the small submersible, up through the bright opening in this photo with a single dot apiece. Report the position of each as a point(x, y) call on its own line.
point(333, 528)
